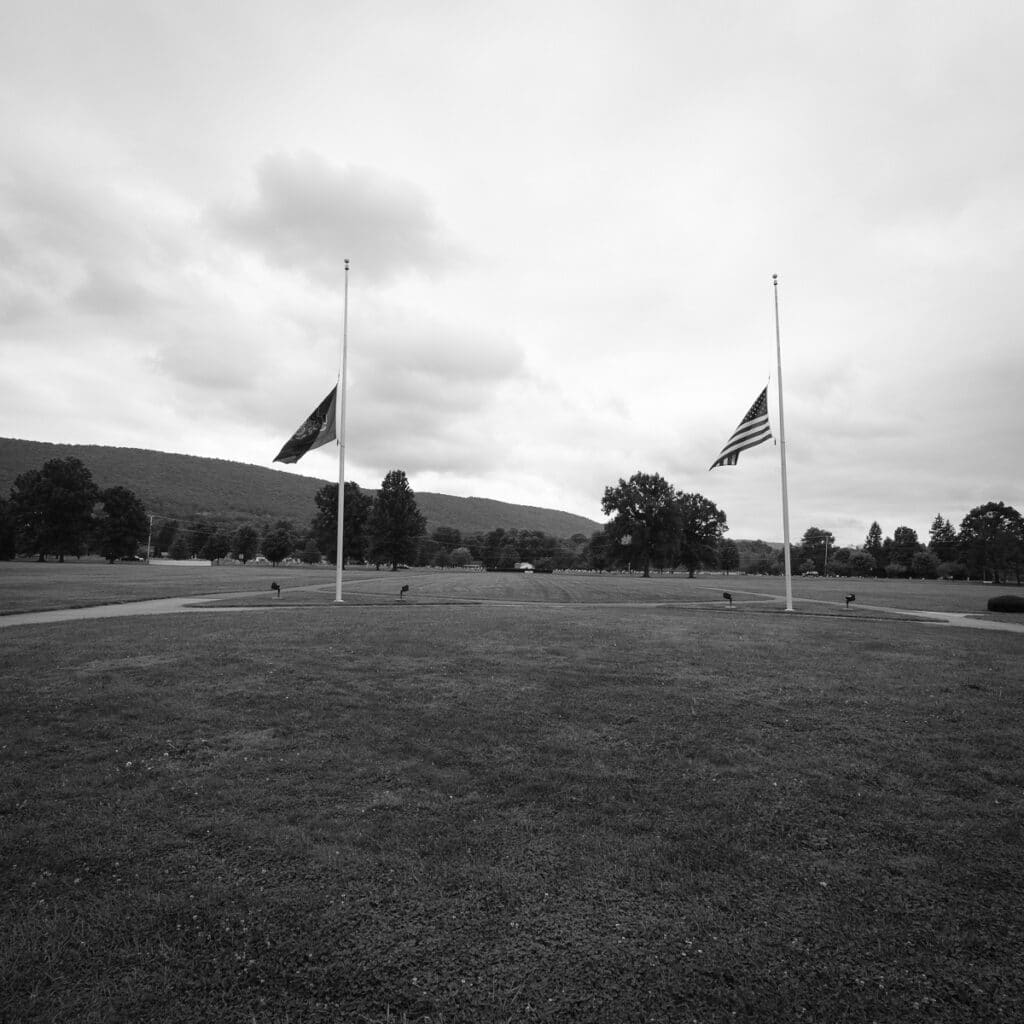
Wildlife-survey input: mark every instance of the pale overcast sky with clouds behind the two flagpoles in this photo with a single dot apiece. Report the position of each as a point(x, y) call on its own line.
point(563, 220)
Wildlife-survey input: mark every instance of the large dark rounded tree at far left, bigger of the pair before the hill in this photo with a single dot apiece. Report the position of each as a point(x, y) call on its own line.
point(54, 506)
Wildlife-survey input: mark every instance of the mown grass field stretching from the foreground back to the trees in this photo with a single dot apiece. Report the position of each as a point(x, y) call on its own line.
point(511, 798)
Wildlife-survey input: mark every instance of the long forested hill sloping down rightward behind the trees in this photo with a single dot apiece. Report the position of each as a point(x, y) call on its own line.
point(185, 487)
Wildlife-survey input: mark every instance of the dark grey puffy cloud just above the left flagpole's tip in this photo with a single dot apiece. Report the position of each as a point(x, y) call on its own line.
point(311, 217)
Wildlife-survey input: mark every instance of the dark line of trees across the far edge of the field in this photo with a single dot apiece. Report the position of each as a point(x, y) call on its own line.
point(59, 511)
